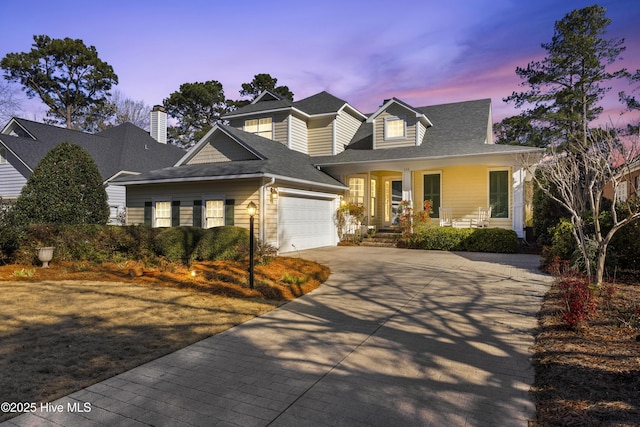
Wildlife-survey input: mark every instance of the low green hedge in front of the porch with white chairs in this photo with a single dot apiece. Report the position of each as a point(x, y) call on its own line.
point(465, 239)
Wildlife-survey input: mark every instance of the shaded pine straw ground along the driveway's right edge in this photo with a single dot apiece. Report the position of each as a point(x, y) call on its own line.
point(589, 376)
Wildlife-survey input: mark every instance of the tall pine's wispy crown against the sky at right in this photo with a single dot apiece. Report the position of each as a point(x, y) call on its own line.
point(567, 85)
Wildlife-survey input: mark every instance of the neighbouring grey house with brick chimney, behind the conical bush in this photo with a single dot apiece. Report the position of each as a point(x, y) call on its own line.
point(118, 151)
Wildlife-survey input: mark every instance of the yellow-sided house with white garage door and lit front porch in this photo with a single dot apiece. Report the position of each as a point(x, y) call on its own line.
point(298, 160)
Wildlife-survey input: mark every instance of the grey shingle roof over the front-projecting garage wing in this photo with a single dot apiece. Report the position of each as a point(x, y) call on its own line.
point(277, 160)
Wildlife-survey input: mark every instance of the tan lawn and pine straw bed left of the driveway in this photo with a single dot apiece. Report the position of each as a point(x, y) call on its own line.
point(72, 325)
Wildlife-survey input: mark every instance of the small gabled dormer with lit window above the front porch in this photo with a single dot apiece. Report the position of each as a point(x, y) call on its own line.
point(397, 124)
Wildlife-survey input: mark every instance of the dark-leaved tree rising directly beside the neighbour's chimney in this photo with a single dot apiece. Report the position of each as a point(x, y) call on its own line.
point(196, 106)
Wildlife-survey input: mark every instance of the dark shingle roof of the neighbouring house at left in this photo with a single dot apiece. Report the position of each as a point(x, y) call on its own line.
point(122, 148)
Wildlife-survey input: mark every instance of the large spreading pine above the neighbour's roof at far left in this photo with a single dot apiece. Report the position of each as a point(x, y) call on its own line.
point(65, 74)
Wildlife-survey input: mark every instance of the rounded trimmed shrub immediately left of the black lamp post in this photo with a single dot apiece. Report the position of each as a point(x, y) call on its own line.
point(221, 243)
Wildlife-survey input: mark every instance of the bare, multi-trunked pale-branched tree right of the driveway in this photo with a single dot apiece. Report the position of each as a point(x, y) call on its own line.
point(576, 178)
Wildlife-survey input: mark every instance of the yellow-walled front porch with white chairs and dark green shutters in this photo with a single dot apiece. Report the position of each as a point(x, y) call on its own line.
point(463, 191)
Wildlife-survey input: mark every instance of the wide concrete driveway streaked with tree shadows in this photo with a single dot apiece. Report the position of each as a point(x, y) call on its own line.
point(395, 337)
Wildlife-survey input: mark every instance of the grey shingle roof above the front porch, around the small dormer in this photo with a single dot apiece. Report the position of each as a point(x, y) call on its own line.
point(459, 129)
